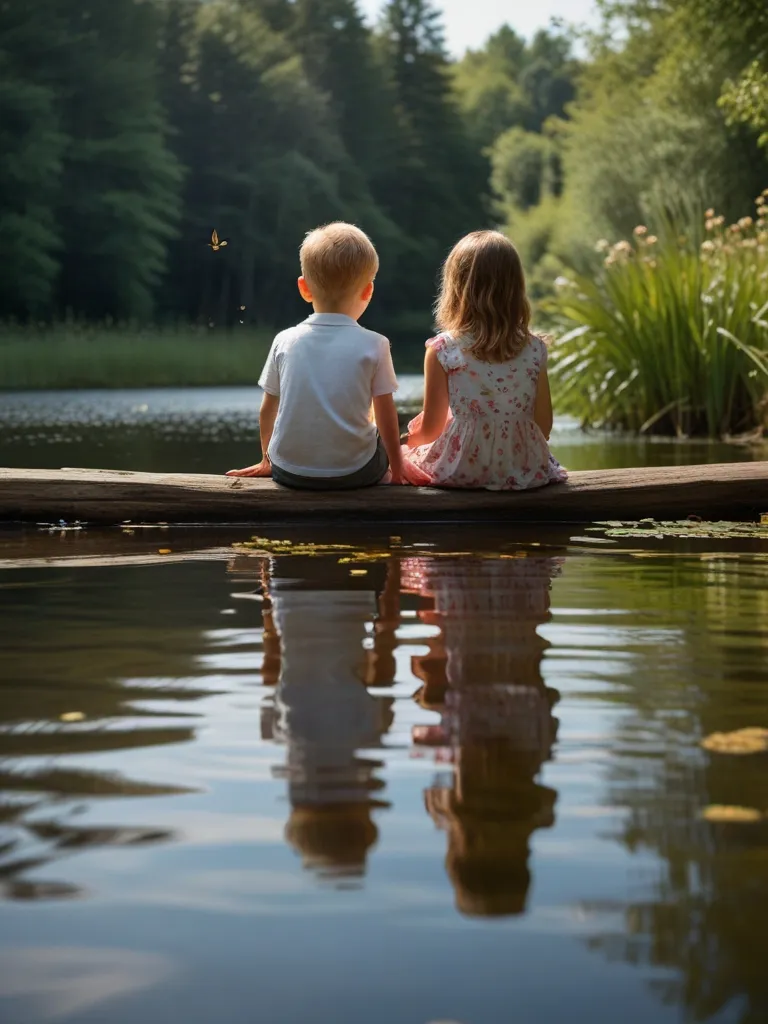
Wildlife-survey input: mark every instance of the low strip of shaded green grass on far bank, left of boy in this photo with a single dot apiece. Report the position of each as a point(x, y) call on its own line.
point(109, 357)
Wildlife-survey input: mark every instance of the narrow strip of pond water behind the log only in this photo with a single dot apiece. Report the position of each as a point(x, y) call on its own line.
point(210, 431)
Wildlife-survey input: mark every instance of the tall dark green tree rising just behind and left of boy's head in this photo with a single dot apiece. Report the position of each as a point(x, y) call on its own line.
point(266, 162)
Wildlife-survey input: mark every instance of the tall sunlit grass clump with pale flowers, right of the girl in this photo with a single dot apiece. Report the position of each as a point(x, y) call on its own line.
point(671, 336)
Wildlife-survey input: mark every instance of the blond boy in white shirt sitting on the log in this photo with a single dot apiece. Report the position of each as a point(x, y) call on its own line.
point(322, 377)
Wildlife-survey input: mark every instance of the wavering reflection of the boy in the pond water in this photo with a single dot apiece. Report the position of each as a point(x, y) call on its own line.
point(323, 711)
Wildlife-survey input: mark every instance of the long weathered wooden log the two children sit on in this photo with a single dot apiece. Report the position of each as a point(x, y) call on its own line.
point(735, 491)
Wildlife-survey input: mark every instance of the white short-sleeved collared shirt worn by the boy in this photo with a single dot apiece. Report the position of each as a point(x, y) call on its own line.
point(326, 372)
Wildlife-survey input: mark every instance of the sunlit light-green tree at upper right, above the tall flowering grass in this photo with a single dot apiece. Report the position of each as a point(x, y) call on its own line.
point(649, 115)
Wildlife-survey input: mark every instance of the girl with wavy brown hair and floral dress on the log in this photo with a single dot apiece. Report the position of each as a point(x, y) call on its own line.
point(488, 410)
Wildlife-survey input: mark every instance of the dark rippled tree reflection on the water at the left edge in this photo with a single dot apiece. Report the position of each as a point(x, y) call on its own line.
point(104, 657)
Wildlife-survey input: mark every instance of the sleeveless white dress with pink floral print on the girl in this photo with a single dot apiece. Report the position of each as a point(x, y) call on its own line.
point(491, 440)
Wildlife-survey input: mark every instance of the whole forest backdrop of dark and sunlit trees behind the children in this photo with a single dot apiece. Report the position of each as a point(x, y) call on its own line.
point(132, 130)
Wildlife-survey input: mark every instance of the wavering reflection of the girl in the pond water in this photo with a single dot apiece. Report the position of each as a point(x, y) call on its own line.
point(483, 674)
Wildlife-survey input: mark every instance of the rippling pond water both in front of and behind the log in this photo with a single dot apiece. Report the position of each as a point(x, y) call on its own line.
point(451, 776)
